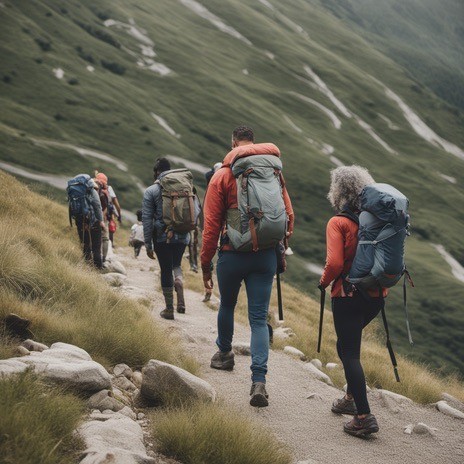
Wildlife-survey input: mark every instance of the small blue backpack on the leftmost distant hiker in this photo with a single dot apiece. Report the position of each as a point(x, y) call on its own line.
point(79, 190)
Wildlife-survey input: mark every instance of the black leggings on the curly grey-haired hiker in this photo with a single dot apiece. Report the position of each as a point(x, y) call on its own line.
point(351, 315)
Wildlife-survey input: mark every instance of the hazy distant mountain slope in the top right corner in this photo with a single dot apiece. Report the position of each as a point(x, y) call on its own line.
point(424, 36)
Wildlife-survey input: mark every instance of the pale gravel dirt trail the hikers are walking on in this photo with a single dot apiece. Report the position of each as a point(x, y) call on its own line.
point(307, 426)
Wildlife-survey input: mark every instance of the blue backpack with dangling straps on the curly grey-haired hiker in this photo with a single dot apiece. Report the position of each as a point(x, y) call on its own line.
point(379, 260)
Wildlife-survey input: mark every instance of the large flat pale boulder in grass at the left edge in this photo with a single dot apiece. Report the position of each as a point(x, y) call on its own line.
point(67, 364)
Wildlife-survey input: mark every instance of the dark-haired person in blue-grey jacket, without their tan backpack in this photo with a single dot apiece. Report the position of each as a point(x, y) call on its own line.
point(169, 253)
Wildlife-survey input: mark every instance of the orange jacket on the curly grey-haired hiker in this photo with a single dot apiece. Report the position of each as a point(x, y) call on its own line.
point(342, 241)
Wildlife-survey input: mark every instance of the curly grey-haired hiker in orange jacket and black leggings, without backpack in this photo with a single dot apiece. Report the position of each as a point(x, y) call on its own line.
point(352, 310)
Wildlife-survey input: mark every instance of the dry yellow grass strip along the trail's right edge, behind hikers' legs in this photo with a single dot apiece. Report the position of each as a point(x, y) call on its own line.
point(301, 314)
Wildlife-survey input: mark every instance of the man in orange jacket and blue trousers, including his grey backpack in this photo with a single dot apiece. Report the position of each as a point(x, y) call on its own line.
point(247, 254)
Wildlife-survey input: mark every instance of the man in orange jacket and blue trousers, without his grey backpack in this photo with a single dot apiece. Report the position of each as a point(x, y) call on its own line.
point(256, 268)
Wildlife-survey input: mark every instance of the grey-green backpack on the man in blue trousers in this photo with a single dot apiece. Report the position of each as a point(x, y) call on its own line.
point(260, 220)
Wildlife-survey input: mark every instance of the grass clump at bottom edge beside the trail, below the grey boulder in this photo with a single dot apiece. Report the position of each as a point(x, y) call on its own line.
point(213, 433)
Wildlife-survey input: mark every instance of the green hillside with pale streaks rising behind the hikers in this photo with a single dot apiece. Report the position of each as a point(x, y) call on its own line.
point(173, 77)
